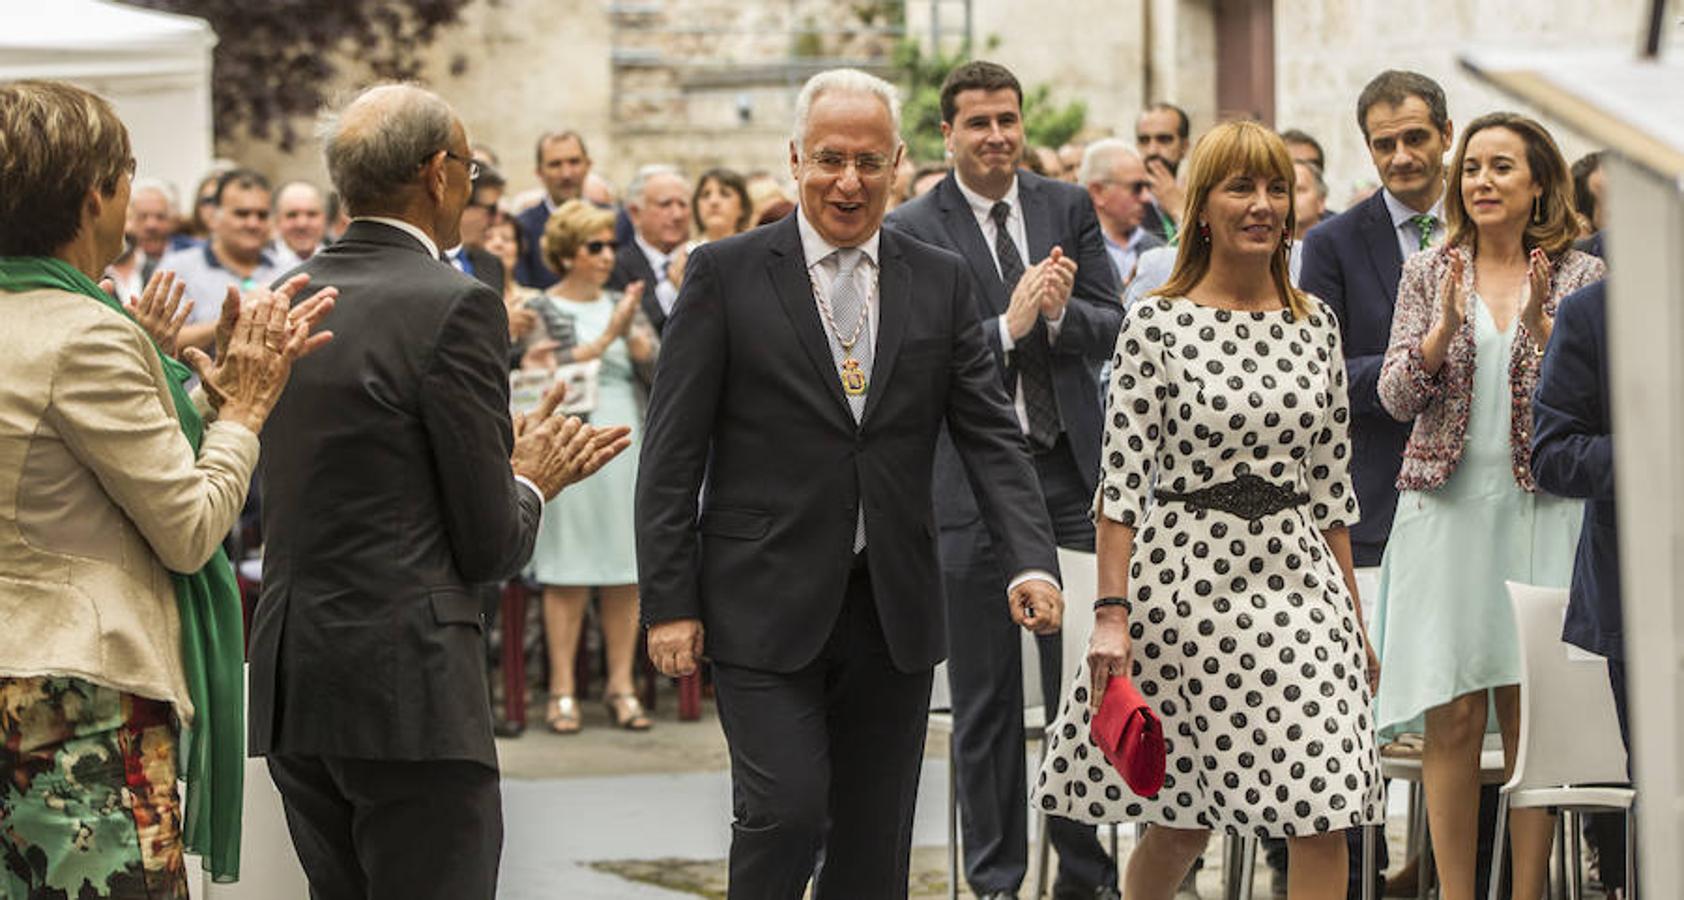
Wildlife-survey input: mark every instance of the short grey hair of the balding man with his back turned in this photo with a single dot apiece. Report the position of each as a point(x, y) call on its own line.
point(375, 154)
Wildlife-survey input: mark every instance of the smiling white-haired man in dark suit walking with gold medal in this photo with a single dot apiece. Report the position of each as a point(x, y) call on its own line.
point(804, 378)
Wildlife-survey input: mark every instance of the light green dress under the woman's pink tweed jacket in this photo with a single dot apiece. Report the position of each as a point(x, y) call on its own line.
point(1442, 624)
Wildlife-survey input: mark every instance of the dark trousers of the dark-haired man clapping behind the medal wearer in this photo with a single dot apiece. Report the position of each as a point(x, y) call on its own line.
point(986, 678)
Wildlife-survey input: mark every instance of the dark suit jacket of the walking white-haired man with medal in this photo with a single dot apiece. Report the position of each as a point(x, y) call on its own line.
point(747, 394)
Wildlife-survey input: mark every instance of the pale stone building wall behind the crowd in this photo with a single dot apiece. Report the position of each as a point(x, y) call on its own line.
point(713, 82)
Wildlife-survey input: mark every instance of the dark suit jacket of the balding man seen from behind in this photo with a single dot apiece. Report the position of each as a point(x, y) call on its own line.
point(388, 495)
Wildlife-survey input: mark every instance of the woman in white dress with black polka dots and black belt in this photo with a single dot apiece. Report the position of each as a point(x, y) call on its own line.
point(1225, 565)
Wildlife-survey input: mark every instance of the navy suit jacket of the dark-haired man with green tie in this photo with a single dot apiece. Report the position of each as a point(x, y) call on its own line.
point(1353, 264)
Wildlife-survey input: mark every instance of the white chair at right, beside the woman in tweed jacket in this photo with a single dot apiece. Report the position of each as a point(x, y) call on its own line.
point(1570, 734)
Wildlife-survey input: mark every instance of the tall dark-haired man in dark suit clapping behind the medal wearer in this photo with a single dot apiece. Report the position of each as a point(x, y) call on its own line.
point(1048, 304)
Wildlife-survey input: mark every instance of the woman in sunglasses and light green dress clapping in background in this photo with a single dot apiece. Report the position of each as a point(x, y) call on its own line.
point(587, 542)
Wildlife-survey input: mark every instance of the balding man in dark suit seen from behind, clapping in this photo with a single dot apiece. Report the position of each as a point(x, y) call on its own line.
point(393, 485)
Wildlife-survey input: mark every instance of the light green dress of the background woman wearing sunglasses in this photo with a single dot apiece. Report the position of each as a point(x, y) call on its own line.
point(587, 535)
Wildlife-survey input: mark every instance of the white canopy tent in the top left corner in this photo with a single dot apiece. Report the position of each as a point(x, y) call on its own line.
point(152, 67)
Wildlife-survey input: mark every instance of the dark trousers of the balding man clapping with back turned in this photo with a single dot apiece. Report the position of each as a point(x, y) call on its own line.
point(385, 830)
